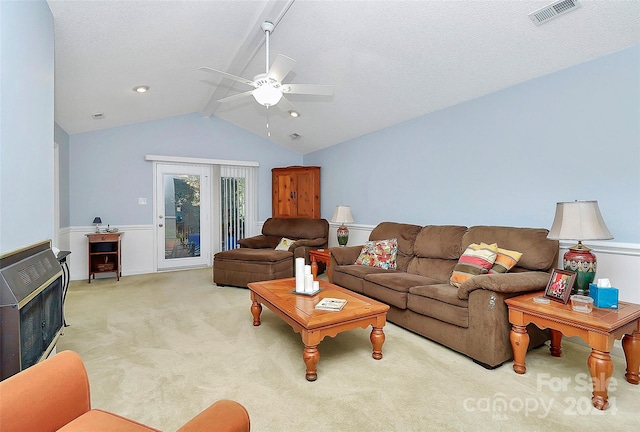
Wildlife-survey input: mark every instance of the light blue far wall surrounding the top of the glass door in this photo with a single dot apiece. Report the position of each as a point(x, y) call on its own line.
point(108, 171)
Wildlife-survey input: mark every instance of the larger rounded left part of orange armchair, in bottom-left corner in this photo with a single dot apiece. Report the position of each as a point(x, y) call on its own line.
point(45, 396)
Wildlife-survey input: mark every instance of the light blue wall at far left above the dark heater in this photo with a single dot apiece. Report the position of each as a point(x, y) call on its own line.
point(26, 123)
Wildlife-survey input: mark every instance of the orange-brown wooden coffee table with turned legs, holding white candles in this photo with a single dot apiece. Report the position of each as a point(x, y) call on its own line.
point(314, 325)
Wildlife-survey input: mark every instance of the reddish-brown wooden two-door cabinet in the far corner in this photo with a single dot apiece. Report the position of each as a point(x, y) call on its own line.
point(296, 192)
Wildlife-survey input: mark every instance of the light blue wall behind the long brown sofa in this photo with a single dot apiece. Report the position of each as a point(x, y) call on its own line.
point(505, 158)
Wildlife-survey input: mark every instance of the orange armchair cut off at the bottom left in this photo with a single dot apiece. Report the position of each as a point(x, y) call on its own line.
point(54, 396)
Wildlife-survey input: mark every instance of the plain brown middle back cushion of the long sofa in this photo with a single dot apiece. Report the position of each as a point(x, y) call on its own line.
point(444, 242)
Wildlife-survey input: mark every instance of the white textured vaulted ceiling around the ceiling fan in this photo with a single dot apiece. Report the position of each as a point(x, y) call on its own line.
point(389, 61)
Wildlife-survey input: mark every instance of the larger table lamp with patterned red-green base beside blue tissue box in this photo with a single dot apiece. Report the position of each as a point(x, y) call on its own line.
point(579, 220)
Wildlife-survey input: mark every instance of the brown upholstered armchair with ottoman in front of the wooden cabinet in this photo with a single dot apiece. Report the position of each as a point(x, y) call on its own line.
point(257, 260)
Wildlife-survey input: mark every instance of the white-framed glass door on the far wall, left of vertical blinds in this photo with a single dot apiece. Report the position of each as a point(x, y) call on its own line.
point(182, 215)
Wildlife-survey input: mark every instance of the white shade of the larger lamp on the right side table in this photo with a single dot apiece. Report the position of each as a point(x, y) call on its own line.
point(579, 220)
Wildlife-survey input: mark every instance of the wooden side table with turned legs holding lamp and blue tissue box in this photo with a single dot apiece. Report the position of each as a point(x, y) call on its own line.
point(599, 329)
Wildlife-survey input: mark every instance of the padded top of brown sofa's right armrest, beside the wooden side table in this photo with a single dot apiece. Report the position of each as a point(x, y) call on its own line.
point(505, 283)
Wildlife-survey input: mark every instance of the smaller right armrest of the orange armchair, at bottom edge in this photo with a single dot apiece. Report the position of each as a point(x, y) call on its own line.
point(222, 416)
